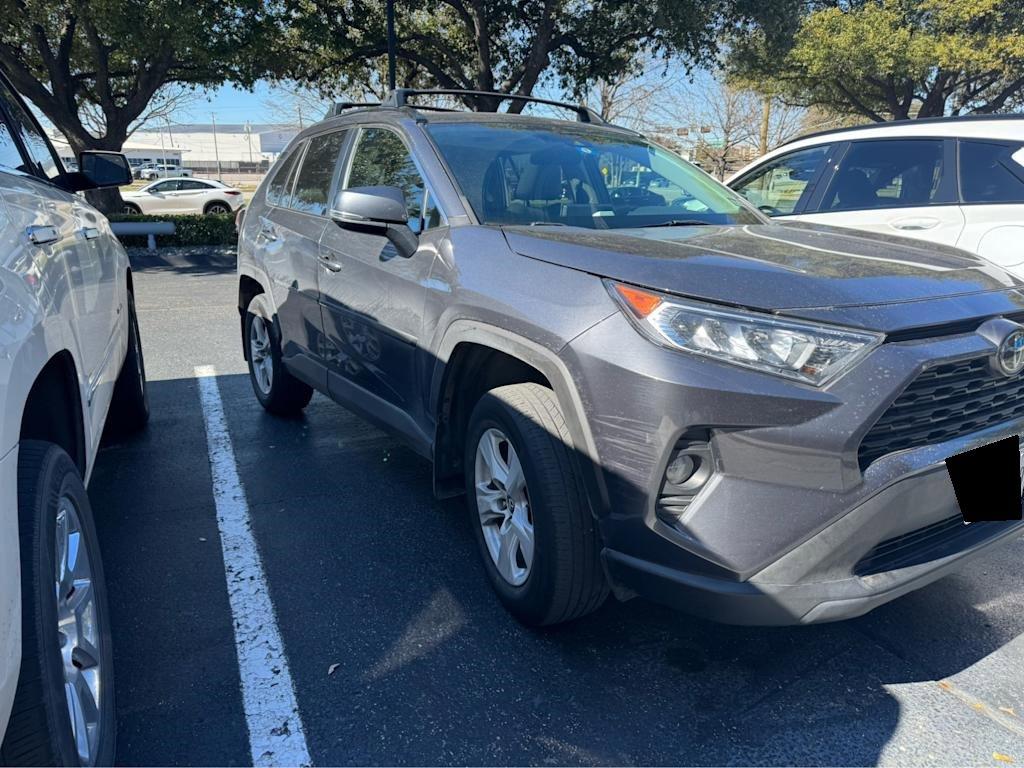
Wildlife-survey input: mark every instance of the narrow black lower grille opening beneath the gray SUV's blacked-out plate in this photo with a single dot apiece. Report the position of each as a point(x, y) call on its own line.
point(930, 543)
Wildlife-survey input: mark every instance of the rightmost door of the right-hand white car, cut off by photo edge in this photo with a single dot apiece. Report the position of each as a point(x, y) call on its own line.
point(992, 177)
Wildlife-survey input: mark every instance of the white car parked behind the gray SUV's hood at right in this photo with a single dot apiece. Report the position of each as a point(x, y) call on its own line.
point(958, 182)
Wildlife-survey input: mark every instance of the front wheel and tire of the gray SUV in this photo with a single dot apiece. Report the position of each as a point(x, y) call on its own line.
point(564, 576)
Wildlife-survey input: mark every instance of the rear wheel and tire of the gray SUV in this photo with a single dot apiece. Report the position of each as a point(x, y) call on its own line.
point(276, 389)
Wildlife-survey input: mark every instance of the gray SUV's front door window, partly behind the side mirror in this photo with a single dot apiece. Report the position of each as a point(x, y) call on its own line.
point(382, 160)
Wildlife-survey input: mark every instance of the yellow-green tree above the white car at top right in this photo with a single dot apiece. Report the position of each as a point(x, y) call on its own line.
point(895, 60)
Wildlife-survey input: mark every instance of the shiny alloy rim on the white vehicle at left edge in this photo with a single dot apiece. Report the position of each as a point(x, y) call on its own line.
point(78, 632)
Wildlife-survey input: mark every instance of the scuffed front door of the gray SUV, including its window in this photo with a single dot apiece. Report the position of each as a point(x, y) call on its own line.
point(373, 298)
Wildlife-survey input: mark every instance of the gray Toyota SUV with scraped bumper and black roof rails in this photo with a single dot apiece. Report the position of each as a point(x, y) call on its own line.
point(641, 383)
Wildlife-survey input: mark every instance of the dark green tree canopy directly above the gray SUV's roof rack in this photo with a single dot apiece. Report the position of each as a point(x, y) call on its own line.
point(506, 46)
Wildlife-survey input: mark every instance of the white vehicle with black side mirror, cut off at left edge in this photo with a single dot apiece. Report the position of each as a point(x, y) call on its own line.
point(71, 364)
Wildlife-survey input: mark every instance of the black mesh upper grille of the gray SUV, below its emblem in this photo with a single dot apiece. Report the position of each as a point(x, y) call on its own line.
point(947, 402)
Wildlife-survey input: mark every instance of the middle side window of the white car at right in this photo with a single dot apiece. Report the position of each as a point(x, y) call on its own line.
point(889, 175)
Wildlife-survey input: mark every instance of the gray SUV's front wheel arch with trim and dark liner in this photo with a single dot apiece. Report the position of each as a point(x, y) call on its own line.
point(491, 357)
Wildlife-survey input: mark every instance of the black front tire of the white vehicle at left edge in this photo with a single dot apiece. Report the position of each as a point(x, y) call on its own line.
point(40, 731)
